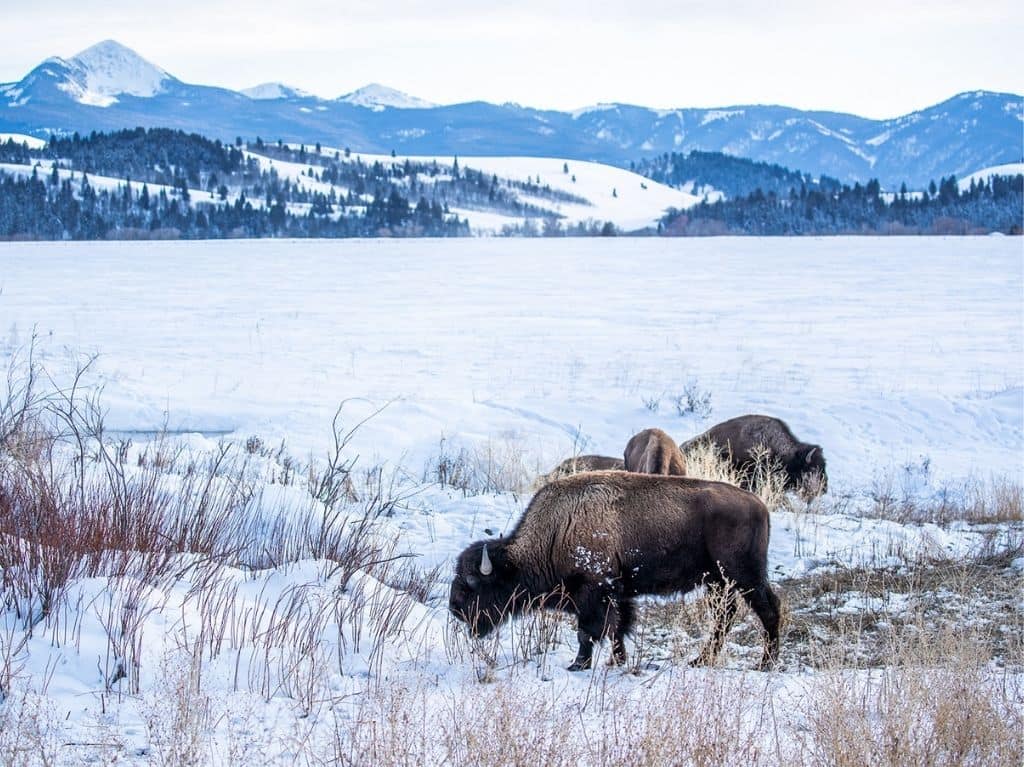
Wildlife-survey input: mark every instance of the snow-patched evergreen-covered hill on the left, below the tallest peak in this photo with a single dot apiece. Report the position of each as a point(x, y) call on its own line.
point(239, 196)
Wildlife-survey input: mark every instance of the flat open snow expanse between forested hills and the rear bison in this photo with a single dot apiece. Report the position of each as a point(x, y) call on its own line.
point(884, 351)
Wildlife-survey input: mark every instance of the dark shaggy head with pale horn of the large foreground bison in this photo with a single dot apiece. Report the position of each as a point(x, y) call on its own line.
point(486, 590)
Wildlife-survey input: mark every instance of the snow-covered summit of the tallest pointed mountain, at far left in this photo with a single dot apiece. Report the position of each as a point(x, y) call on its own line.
point(107, 70)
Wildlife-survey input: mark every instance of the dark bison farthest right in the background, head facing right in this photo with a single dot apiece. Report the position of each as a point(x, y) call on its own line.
point(742, 441)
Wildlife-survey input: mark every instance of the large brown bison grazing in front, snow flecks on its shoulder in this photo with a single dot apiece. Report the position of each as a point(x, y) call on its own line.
point(591, 543)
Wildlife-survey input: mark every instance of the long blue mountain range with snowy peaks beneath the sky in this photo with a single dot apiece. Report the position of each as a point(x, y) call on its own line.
point(109, 87)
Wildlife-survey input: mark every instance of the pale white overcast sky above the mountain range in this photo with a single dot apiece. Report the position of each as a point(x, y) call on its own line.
point(877, 59)
